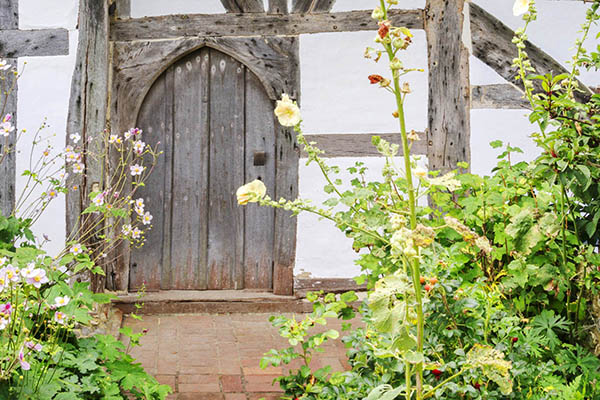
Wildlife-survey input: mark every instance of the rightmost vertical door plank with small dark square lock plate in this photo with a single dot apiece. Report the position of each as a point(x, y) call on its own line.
point(260, 221)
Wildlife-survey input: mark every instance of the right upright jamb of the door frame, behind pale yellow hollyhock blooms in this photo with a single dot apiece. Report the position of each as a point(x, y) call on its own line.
point(286, 185)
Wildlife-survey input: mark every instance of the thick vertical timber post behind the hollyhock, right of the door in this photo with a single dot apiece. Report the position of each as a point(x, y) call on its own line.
point(448, 135)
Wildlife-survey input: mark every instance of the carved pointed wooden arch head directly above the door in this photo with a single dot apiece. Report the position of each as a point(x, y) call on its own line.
point(137, 65)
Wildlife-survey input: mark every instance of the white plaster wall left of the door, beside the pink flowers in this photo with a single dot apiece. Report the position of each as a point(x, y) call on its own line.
point(43, 95)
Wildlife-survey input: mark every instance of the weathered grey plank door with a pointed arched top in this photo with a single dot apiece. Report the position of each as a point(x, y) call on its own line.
point(216, 127)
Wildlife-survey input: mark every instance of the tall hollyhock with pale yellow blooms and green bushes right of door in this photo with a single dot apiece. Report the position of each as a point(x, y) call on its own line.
point(488, 292)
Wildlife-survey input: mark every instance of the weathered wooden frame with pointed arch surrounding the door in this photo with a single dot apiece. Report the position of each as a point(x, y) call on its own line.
point(136, 66)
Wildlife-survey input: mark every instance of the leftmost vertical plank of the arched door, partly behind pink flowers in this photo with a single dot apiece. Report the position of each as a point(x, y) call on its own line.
point(145, 263)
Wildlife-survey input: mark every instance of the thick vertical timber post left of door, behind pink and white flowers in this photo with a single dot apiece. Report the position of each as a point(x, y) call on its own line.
point(88, 112)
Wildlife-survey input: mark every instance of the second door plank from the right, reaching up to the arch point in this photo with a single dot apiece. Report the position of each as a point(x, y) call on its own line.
point(226, 172)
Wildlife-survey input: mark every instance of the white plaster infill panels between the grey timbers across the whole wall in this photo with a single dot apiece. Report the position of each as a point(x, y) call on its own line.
point(336, 99)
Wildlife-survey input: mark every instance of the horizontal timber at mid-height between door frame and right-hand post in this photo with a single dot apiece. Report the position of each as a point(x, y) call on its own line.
point(358, 144)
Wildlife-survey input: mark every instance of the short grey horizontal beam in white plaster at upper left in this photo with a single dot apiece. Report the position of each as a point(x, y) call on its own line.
point(39, 42)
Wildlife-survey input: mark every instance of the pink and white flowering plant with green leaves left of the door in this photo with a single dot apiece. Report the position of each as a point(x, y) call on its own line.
point(50, 346)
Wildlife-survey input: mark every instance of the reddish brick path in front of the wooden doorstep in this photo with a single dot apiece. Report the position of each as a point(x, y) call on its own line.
point(216, 356)
